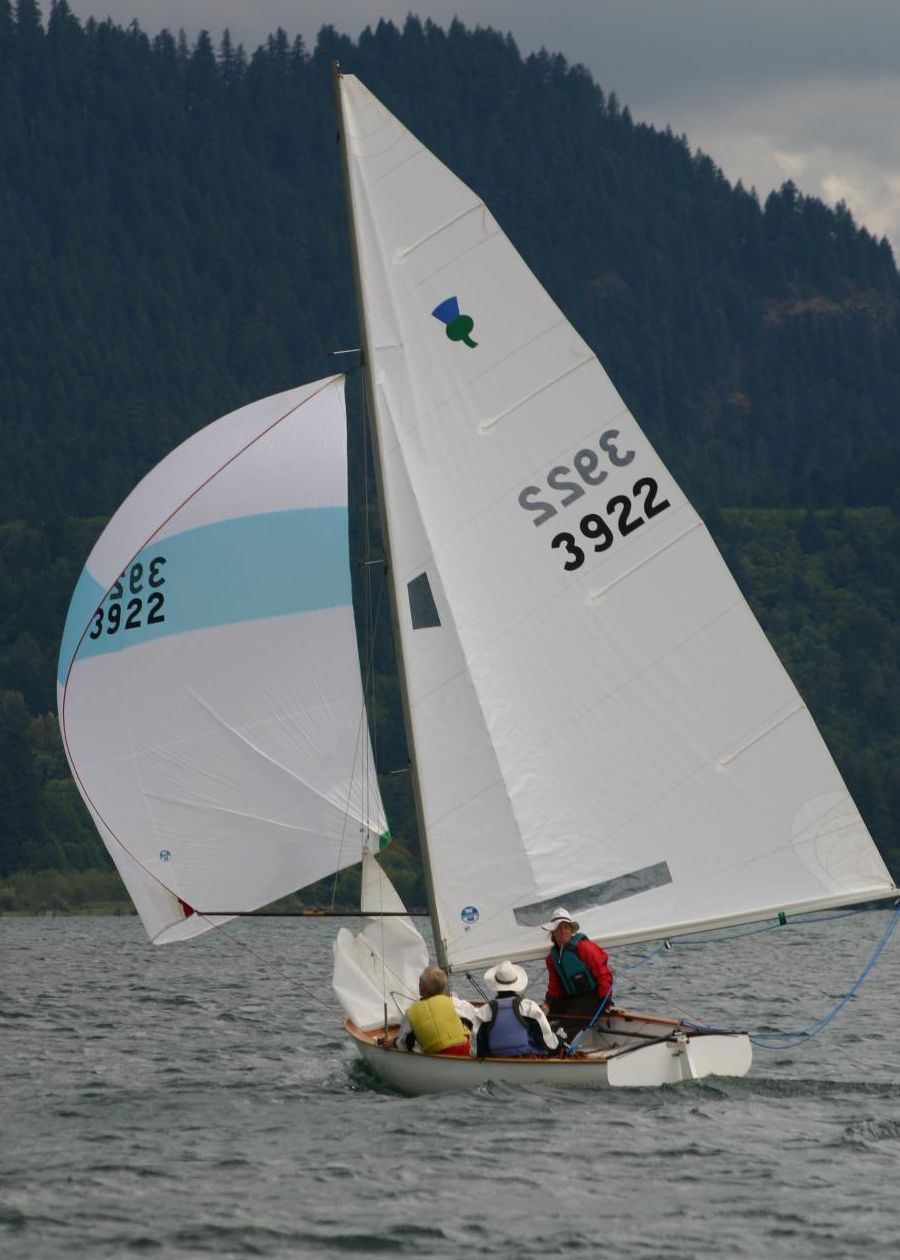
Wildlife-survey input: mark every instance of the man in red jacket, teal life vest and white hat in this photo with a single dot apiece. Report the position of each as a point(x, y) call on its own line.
point(579, 980)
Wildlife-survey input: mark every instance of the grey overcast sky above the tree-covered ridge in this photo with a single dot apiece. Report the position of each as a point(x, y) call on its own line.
point(773, 90)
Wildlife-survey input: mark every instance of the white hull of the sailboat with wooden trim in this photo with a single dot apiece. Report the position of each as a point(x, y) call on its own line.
point(627, 1050)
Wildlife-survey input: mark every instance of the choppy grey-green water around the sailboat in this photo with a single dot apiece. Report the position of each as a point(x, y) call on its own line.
point(192, 1102)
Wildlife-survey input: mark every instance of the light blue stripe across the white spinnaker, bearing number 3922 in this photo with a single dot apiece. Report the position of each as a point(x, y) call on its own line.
point(243, 570)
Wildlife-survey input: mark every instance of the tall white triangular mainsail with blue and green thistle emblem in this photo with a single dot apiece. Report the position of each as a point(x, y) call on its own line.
point(598, 718)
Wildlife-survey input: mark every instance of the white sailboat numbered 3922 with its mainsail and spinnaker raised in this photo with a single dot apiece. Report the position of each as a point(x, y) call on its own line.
point(596, 719)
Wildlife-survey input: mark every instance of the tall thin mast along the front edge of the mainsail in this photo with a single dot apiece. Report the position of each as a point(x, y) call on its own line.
point(441, 951)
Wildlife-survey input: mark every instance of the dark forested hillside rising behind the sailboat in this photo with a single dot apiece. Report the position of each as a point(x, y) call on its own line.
point(173, 246)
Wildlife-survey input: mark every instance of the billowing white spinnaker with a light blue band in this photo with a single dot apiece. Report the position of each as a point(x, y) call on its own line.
point(210, 695)
